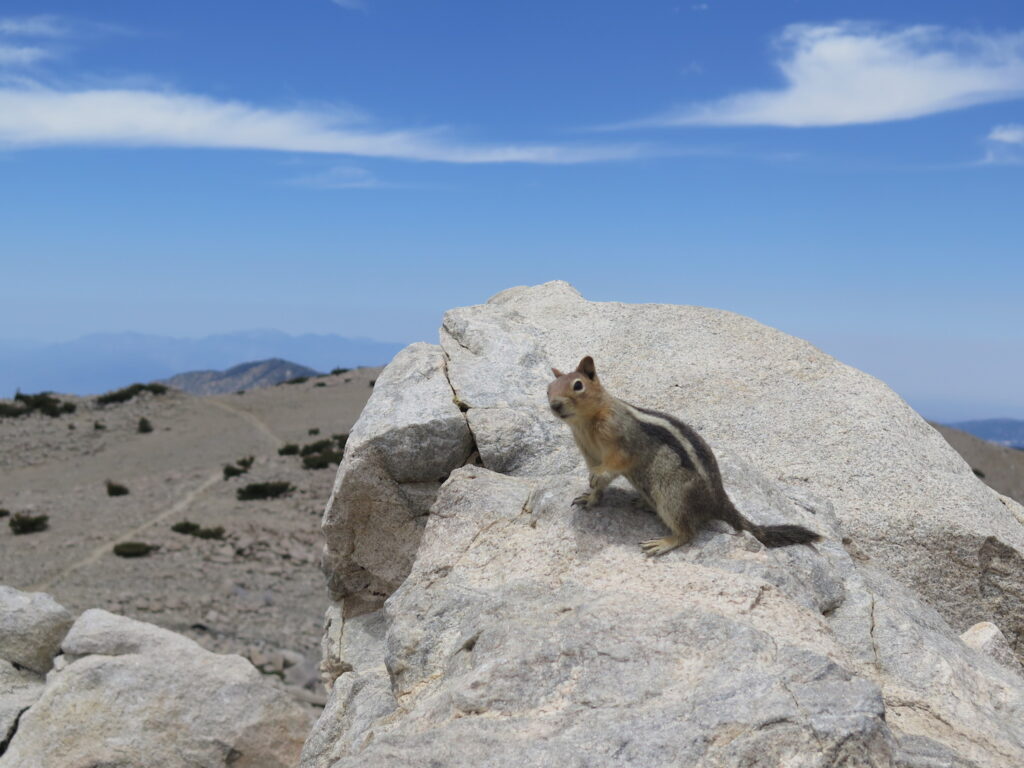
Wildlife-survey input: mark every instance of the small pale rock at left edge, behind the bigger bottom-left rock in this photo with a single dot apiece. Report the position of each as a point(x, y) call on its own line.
point(32, 626)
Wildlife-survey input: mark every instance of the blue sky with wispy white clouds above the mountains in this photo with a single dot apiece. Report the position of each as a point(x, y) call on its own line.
point(850, 173)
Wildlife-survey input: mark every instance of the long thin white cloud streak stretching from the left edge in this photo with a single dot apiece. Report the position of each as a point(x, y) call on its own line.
point(38, 116)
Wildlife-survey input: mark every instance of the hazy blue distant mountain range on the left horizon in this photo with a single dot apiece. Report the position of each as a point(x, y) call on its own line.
point(102, 362)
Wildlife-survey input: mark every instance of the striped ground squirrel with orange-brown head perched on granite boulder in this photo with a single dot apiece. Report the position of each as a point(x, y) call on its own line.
point(664, 459)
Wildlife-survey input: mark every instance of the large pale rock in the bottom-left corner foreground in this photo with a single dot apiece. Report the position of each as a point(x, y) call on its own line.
point(138, 695)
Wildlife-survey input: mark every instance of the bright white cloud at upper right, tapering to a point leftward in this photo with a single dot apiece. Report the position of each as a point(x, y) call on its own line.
point(850, 73)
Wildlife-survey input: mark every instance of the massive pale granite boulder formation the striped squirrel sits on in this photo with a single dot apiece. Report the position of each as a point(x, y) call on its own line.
point(519, 630)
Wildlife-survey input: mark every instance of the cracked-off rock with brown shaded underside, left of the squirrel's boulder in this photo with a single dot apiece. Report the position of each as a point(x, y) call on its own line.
point(410, 436)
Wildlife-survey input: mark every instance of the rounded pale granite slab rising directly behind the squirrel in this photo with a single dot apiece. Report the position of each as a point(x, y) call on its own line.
point(797, 414)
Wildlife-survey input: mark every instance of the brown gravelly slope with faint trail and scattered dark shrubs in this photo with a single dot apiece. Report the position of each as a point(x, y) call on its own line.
point(258, 591)
